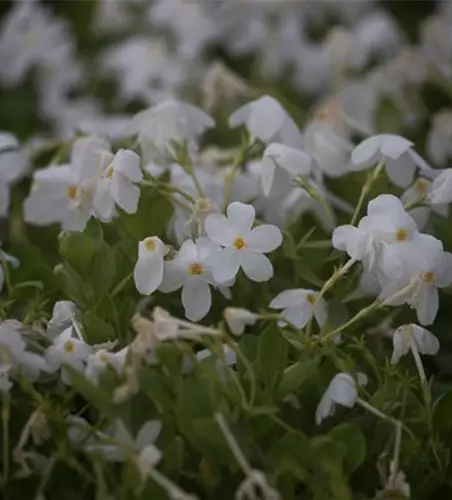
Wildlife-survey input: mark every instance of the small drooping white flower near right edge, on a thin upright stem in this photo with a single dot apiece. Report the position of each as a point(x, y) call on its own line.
point(405, 335)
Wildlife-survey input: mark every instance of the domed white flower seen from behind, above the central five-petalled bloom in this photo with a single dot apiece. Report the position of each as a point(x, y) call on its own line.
point(268, 121)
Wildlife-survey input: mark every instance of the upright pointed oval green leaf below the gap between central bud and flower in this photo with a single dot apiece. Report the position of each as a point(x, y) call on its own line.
point(272, 356)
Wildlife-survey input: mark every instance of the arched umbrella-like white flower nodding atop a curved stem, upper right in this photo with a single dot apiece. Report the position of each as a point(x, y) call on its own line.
point(395, 151)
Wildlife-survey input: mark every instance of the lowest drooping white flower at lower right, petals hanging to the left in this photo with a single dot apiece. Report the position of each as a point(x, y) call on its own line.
point(342, 390)
